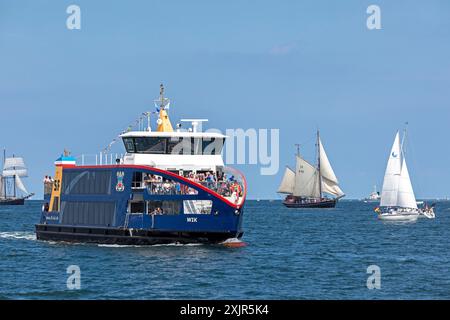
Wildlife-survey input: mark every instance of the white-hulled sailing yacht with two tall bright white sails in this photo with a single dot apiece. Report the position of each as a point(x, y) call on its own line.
point(398, 202)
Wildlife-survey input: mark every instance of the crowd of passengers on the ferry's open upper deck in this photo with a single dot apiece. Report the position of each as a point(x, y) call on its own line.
point(223, 184)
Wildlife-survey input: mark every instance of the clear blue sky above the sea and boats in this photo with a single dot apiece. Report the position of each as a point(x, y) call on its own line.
point(295, 66)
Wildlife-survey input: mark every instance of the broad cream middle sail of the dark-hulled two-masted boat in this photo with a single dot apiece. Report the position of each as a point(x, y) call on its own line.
point(306, 180)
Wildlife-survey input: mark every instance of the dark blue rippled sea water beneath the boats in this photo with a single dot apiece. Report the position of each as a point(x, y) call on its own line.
point(304, 254)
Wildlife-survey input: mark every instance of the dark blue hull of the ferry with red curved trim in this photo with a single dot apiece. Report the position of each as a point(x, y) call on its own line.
point(103, 215)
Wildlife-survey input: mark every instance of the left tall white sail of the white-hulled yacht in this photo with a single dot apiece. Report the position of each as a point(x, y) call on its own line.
point(389, 193)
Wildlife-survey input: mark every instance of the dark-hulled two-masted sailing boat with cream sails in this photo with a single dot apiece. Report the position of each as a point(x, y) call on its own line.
point(305, 187)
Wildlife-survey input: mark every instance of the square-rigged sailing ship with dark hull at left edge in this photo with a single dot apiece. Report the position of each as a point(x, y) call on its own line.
point(10, 178)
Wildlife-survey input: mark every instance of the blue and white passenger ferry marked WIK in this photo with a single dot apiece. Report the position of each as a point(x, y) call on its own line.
point(170, 186)
